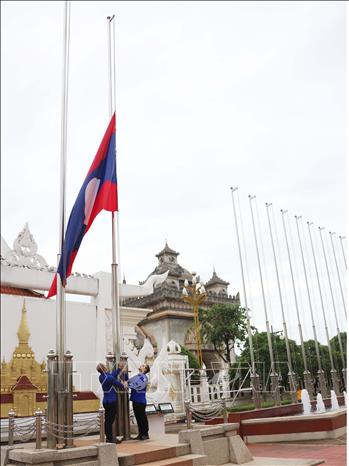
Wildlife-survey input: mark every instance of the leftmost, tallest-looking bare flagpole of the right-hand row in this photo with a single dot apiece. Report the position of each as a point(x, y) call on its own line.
point(254, 375)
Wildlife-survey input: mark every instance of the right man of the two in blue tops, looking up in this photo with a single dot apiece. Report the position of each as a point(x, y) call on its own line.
point(138, 386)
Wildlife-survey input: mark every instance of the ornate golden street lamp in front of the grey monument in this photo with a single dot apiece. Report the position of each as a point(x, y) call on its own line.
point(195, 294)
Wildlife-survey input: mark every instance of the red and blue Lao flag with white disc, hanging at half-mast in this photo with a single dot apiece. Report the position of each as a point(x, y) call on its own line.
point(98, 192)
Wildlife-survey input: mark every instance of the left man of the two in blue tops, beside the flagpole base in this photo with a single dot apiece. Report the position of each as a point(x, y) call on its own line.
point(109, 385)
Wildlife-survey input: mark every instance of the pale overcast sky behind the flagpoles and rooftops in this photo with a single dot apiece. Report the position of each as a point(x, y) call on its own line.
point(209, 95)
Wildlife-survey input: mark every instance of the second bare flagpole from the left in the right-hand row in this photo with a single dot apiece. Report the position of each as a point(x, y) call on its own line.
point(273, 376)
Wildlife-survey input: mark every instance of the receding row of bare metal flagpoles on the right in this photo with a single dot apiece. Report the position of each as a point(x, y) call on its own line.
point(298, 280)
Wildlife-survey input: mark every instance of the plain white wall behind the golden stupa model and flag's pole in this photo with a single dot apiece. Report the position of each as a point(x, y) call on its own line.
point(41, 315)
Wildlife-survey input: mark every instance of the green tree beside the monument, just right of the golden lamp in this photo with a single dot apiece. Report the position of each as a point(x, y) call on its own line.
point(224, 326)
